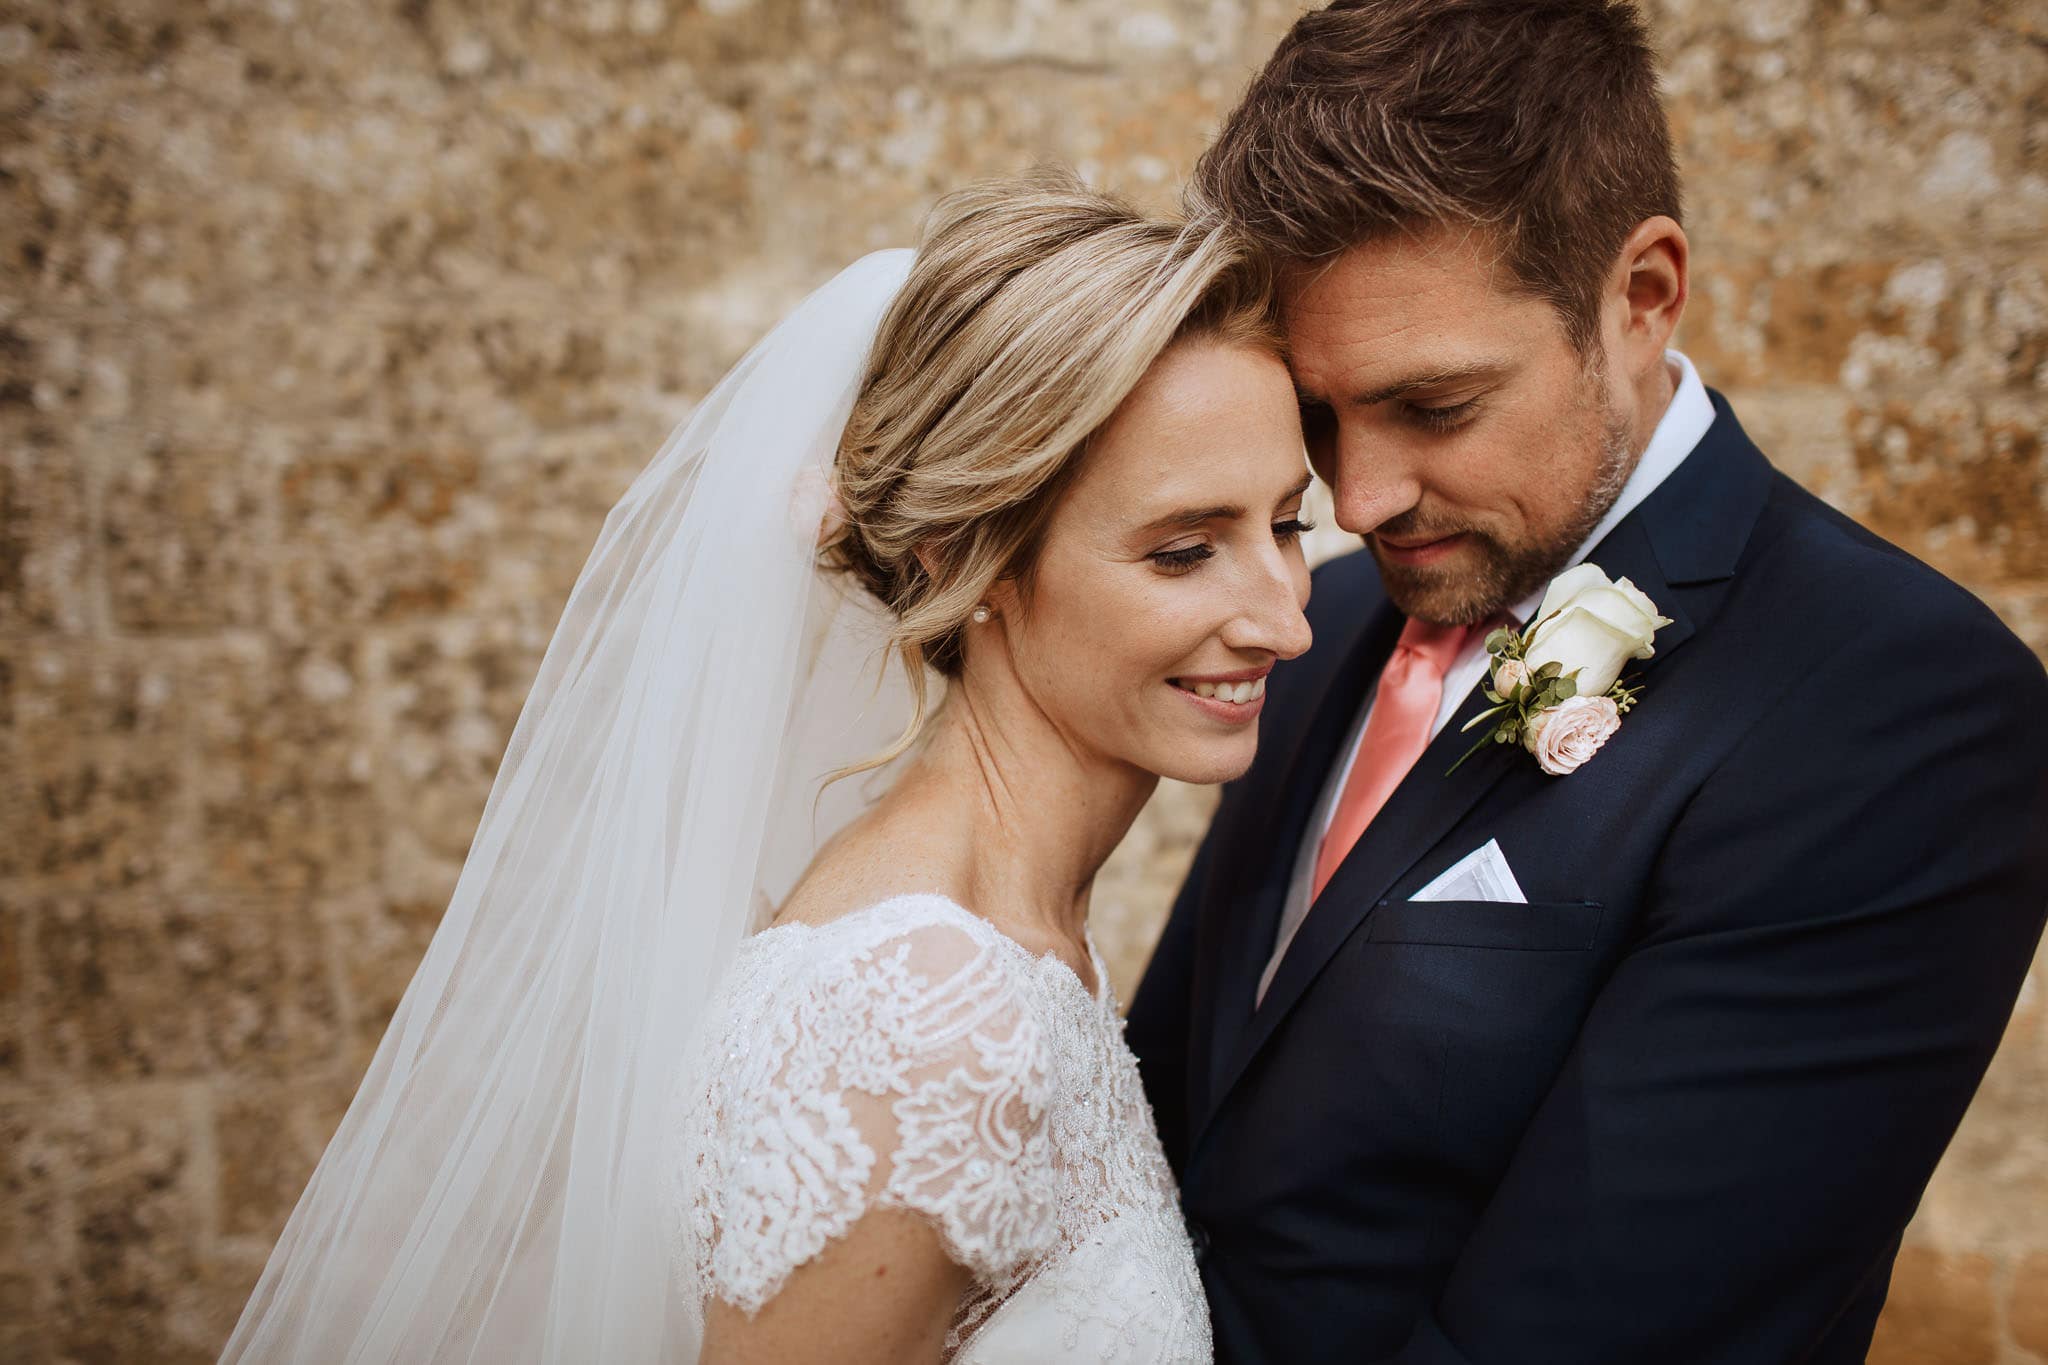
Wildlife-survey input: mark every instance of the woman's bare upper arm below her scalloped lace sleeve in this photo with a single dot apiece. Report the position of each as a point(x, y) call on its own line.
point(888, 1292)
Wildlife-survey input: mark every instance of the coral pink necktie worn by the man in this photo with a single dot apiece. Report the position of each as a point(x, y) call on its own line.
point(1404, 711)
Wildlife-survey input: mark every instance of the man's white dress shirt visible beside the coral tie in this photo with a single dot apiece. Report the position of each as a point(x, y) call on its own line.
point(1680, 429)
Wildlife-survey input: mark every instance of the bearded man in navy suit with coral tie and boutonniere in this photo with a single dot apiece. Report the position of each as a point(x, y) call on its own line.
point(1588, 1053)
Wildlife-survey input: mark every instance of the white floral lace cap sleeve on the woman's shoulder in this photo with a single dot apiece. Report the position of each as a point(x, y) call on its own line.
point(904, 1075)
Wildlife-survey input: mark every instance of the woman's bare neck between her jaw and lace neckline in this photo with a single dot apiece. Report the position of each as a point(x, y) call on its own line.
point(1027, 813)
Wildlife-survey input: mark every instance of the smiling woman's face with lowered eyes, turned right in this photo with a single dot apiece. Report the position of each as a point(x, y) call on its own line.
point(1170, 578)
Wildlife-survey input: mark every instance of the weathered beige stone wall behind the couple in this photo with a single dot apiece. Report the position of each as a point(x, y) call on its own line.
point(329, 331)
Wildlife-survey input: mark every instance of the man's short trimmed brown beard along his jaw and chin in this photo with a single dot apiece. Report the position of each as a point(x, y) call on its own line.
point(1508, 572)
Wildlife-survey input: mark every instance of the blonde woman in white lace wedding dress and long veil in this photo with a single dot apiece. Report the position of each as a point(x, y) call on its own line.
point(1052, 466)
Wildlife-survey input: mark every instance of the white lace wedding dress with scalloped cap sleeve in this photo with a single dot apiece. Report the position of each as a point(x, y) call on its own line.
point(914, 1057)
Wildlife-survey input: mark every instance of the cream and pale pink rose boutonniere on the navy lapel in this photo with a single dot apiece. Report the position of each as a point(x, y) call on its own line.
point(1558, 687)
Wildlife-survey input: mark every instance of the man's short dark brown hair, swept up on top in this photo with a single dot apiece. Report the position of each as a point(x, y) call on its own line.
point(1535, 120)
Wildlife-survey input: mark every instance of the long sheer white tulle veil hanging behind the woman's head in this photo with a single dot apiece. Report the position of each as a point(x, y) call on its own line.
point(495, 1192)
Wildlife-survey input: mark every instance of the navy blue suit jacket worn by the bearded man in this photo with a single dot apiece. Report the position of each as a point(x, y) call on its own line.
point(1680, 1106)
